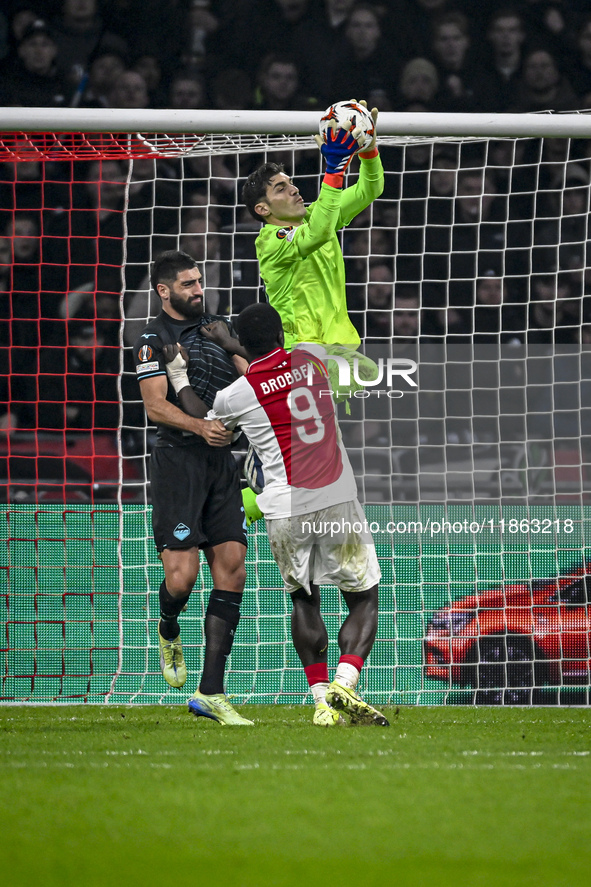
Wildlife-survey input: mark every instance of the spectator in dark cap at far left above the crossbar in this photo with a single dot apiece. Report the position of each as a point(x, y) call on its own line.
point(35, 79)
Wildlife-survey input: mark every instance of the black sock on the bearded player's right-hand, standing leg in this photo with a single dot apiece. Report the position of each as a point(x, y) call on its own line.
point(221, 619)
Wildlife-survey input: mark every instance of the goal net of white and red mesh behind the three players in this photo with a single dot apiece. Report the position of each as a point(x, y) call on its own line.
point(468, 281)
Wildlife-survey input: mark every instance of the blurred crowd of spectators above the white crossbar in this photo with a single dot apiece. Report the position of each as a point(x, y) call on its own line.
point(439, 55)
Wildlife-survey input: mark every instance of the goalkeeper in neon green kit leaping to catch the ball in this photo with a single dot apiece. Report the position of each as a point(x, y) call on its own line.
point(298, 249)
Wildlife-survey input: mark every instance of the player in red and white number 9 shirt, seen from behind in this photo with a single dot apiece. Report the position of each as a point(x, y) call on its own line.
point(316, 527)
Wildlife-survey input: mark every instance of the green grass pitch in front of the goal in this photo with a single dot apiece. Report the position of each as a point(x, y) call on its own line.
point(149, 795)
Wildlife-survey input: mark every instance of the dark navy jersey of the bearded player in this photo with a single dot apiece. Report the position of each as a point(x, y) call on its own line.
point(210, 367)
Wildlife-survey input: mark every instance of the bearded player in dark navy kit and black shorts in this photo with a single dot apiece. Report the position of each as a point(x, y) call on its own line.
point(196, 499)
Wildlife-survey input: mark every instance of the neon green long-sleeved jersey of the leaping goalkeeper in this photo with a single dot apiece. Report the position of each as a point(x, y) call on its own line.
point(303, 269)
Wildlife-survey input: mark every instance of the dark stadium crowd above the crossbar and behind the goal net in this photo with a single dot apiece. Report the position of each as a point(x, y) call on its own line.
point(487, 242)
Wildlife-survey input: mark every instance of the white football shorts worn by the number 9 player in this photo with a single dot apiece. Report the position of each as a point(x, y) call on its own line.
point(332, 546)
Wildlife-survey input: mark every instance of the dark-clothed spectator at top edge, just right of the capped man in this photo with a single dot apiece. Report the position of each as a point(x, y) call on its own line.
point(79, 32)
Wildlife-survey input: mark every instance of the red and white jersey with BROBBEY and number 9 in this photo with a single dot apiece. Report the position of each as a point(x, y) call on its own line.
point(284, 406)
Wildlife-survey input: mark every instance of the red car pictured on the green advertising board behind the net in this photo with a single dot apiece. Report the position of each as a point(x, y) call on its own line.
point(511, 642)
